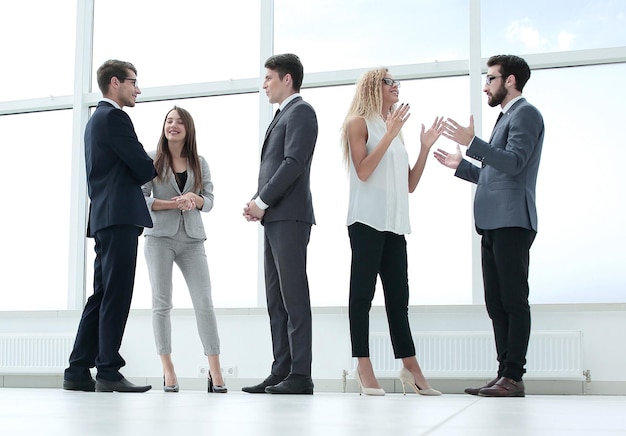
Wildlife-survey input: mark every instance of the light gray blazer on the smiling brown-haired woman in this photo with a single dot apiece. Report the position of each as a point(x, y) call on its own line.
point(166, 222)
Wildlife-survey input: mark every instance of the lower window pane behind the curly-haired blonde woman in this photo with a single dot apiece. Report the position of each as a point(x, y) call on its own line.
point(437, 243)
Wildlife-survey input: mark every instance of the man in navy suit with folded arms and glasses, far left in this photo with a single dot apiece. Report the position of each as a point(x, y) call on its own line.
point(117, 166)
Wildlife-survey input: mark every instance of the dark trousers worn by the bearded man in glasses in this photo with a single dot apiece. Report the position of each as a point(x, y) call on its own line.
point(505, 259)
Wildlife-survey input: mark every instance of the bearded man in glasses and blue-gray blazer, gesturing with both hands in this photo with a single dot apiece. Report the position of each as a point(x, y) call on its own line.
point(505, 213)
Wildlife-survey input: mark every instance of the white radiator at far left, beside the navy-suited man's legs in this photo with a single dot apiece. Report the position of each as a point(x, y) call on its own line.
point(34, 353)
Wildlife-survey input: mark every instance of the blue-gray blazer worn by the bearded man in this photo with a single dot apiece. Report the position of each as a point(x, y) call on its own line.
point(505, 192)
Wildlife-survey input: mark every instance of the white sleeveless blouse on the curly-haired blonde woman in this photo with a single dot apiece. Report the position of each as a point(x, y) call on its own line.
point(382, 201)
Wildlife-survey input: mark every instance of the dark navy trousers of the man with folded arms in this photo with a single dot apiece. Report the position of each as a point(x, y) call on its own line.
point(102, 324)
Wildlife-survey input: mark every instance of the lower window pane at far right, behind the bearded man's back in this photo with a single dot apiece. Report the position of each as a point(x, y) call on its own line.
point(578, 255)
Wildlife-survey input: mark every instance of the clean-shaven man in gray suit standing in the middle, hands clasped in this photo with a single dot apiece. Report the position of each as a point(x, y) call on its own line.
point(284, 206)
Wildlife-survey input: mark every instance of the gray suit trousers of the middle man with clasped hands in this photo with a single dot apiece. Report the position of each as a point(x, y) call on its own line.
point(287, 293)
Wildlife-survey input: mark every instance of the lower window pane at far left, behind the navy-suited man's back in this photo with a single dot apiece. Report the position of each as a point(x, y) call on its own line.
point(36, 210)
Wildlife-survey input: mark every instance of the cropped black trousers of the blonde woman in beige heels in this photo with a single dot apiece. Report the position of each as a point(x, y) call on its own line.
point(381, 254)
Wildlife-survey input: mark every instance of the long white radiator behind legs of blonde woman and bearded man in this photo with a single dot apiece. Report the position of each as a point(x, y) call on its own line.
point(555, 355)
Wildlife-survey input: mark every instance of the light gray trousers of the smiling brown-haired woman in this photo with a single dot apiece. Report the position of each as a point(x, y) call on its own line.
point(189, 255)
